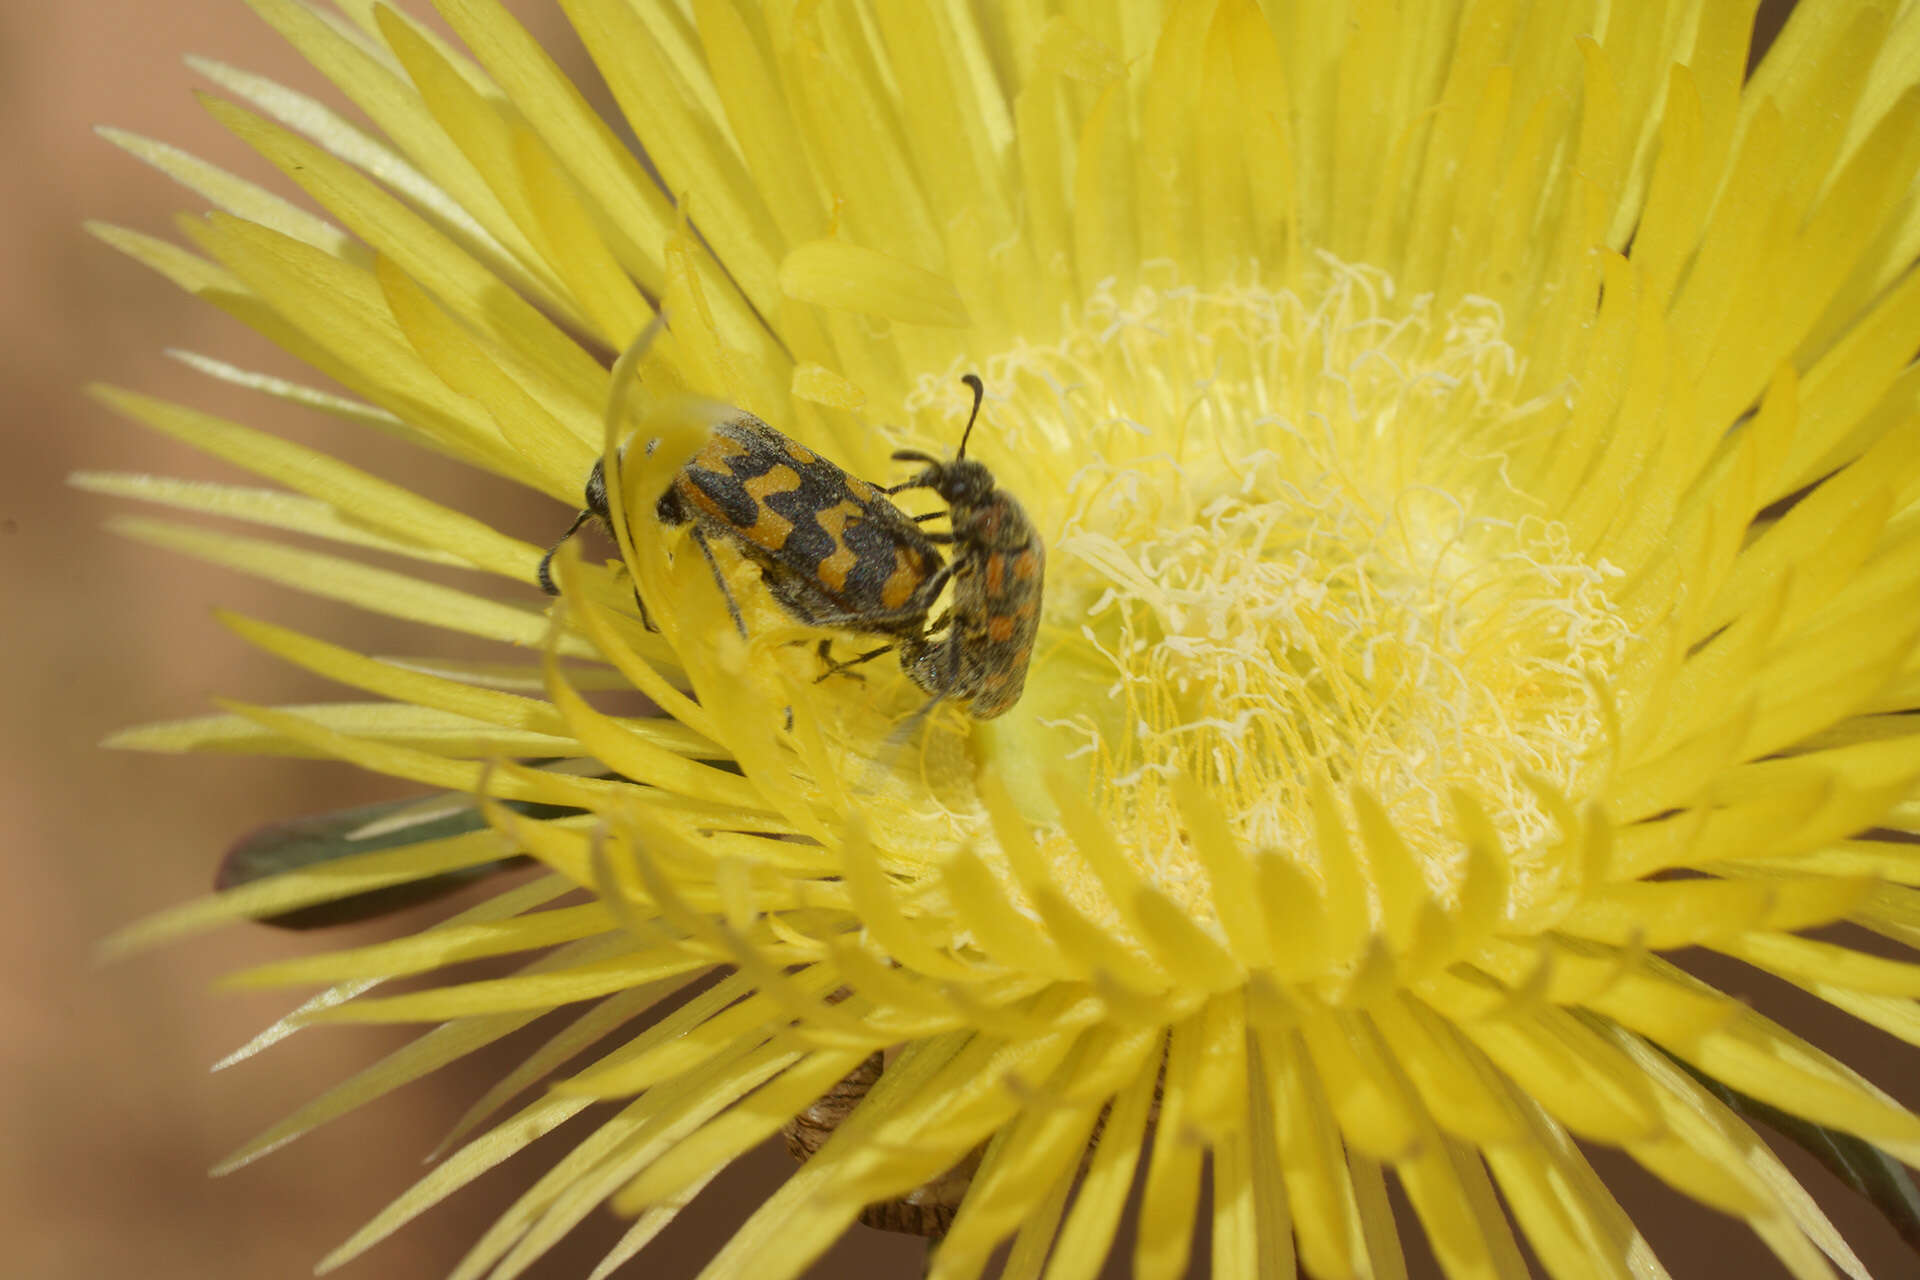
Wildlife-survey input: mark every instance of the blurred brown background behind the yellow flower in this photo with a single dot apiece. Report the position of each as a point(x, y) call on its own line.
point(108, 1118)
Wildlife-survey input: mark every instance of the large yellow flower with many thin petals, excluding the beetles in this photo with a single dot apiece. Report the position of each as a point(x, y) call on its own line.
point(1477, 452)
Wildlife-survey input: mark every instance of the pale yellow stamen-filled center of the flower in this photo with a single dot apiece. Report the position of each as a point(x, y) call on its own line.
point(1284, 548)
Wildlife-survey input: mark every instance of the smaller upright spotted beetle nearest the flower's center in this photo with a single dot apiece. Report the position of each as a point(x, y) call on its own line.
point(999, 567)
